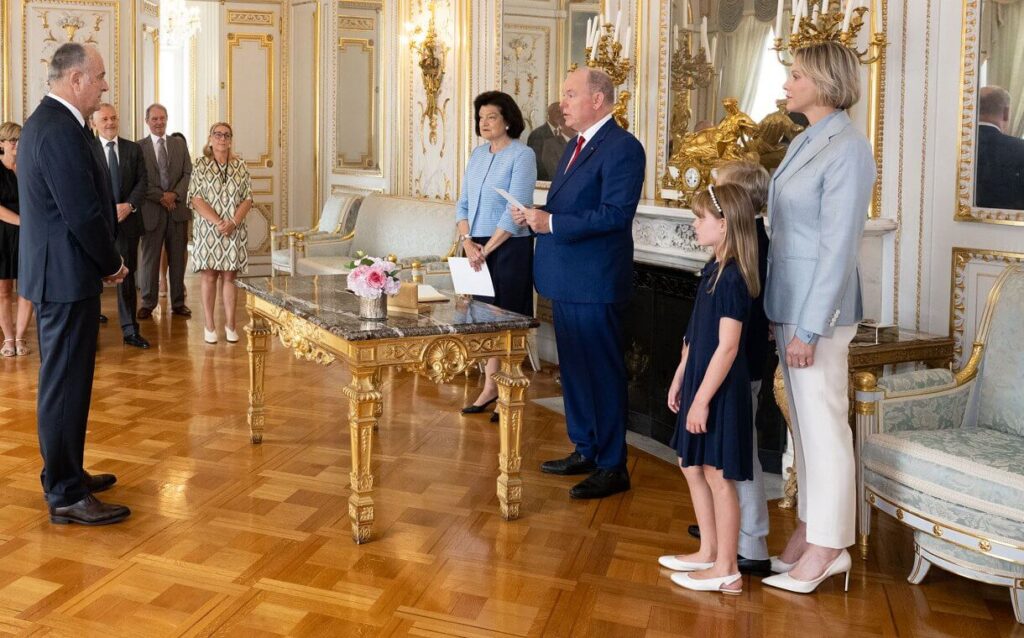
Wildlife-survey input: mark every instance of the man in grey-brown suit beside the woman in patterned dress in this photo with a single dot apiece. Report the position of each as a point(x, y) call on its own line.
point(165, 214)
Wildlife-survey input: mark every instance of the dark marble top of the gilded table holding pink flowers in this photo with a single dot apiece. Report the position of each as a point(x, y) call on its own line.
point(324, 302)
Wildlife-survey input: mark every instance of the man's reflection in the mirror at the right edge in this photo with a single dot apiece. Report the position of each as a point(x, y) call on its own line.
point(1000, 181)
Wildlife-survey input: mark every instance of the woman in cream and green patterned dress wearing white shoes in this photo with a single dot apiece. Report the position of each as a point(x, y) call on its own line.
point(221, 196)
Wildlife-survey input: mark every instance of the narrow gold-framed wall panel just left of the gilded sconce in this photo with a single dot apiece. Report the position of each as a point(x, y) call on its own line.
point(358, 54)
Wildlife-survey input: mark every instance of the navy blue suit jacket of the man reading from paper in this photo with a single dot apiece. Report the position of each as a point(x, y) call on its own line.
point(589, 258)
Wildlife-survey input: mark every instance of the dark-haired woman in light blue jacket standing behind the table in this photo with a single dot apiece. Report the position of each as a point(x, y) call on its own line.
point(485, 221)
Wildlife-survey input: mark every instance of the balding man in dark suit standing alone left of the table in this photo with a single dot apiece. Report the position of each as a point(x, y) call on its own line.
point(67, 252)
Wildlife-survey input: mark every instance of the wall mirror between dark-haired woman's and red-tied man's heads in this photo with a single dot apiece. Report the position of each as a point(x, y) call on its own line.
point(540, 41)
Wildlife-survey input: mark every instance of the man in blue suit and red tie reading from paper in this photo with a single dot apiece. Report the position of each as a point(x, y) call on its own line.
point(584, 264)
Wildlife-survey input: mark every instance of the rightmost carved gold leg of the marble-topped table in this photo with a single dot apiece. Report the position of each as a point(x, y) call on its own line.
point(511, 390)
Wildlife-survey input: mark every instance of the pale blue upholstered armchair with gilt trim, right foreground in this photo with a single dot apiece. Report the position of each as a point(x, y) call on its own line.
point(945, 454)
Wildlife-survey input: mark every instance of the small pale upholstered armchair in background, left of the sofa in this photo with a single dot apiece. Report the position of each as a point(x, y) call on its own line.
point(331, 237)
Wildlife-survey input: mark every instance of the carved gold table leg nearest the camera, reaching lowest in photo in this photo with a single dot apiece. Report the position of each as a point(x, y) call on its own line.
point(365, 402)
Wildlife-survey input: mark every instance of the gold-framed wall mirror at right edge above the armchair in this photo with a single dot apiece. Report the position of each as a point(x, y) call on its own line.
point(991, 184)
